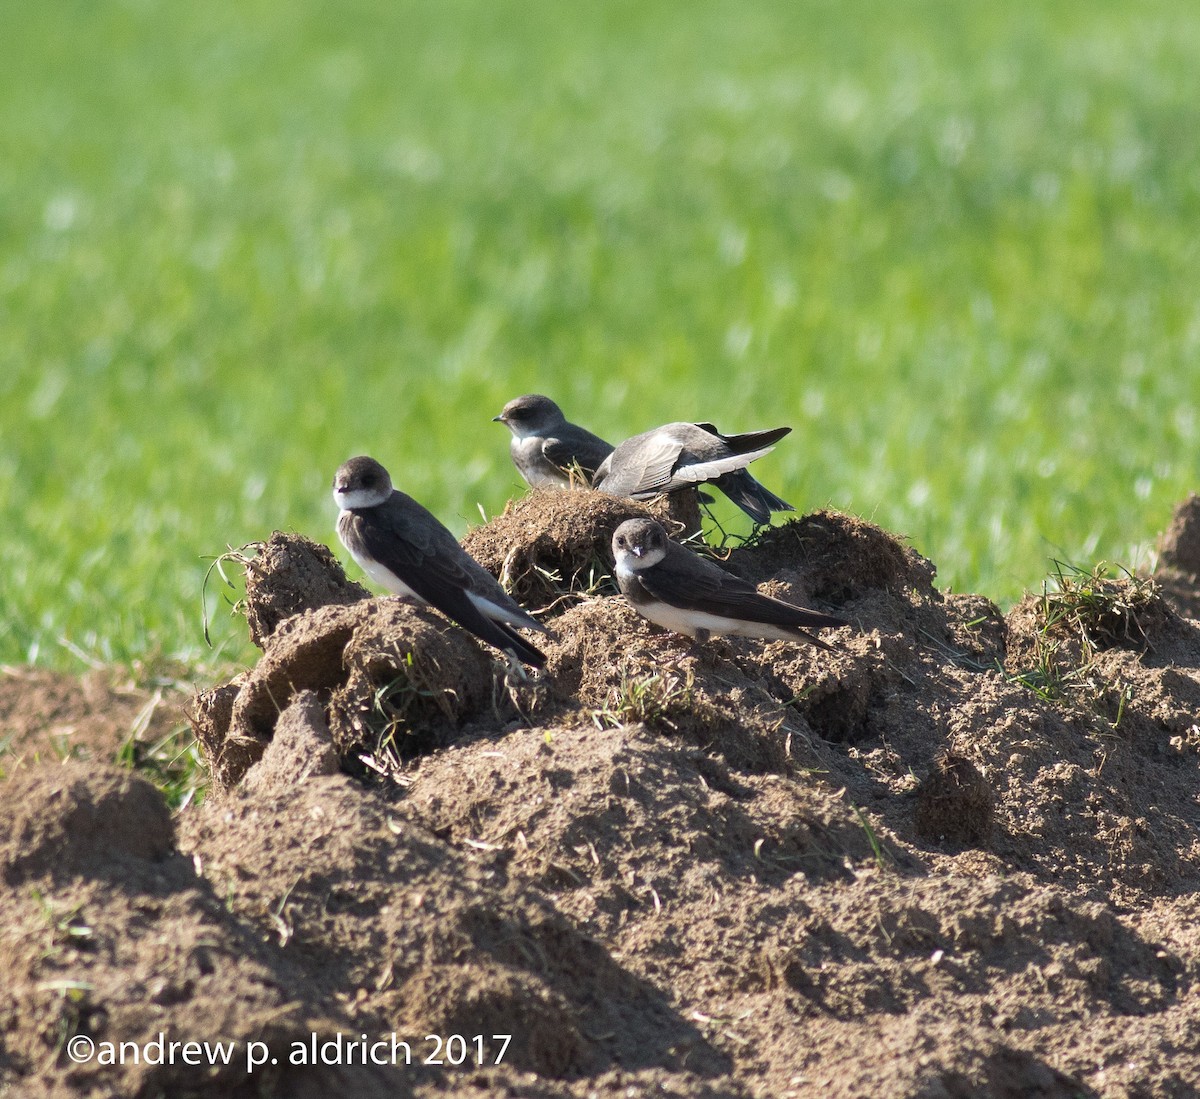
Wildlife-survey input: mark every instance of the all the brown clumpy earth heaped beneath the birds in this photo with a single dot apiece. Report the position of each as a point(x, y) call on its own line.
point(958, 857)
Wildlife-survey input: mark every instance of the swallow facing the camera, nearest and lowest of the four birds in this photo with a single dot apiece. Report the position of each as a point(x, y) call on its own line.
point(680, 591)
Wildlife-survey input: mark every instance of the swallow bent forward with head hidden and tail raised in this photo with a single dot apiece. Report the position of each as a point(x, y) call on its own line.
point(685, 455)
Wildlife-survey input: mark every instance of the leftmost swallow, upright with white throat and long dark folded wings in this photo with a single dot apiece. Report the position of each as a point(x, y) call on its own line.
point(404, 548)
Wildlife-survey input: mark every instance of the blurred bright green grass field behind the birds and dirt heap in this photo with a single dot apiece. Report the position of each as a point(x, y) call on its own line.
point(957, 248)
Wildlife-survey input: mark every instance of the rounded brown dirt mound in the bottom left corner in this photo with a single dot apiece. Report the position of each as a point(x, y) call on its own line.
point(110, 938)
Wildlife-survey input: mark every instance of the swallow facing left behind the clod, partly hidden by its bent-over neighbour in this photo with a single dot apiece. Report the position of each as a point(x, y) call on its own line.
point(545, 446)
